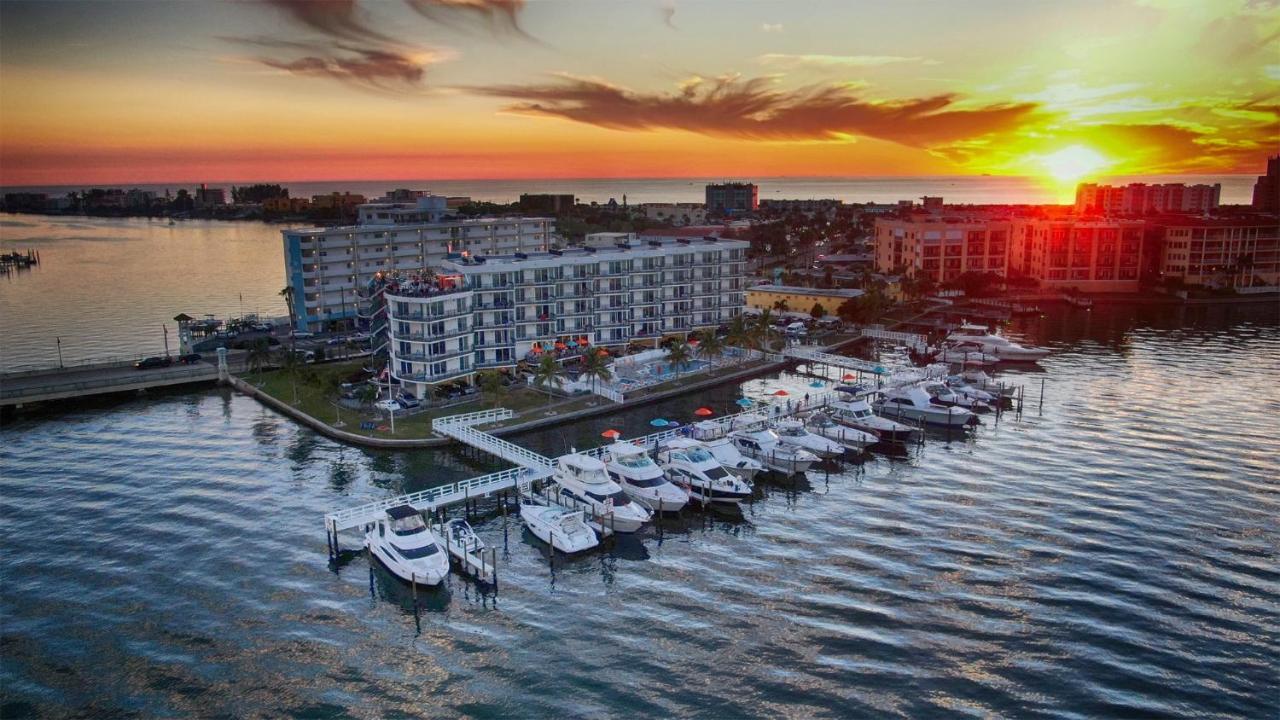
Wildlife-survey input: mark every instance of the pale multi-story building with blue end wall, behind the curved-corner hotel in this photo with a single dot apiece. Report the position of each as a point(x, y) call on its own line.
point(327, 266)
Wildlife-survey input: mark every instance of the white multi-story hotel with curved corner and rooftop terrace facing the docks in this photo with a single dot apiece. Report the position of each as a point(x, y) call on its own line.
point(492, 312)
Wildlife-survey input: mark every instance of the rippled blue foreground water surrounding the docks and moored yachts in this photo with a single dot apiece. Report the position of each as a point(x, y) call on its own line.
point(1113, 557)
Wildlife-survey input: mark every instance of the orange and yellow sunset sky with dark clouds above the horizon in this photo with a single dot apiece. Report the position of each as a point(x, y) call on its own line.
point(289, 90)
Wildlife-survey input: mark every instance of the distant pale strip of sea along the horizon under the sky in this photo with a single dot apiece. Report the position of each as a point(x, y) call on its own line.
point(956, 189)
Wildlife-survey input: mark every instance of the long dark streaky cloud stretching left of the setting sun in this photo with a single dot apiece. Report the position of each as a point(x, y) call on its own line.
point(757, 110)
